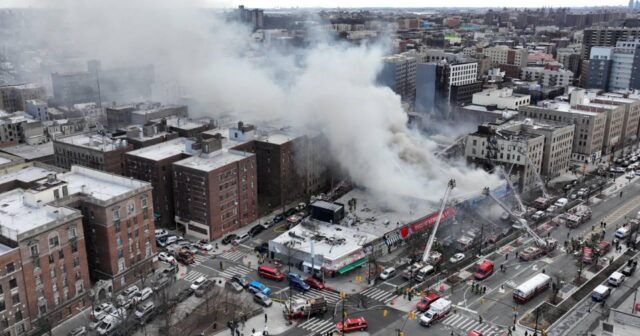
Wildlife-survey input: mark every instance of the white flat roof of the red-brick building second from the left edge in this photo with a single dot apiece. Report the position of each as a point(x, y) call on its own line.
point(98, 184)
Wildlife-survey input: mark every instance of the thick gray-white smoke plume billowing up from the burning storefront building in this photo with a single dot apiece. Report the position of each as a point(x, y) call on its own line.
point(328, 87)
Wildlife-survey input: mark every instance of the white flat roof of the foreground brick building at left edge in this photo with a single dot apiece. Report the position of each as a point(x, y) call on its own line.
point(16, 216)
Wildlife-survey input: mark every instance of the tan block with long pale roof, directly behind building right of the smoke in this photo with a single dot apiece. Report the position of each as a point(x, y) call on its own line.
point(590, 126)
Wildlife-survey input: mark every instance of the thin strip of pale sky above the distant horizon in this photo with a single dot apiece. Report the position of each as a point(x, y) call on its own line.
point(351, 3)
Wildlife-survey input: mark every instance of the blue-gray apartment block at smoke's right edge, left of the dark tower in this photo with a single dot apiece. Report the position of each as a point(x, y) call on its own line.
point(399, 74)
